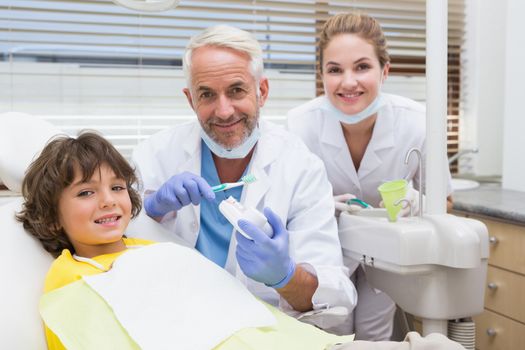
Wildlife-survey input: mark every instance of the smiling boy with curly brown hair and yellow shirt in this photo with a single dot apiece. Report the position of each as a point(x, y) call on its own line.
point(79, 200)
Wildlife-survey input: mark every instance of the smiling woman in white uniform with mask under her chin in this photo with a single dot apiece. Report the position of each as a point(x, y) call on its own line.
point(362, 135)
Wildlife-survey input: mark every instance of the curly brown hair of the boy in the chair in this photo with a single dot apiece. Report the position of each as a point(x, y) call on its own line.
point(54, 170)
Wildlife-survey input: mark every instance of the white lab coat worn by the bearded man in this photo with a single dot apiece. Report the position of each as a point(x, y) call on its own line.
point(290, 180)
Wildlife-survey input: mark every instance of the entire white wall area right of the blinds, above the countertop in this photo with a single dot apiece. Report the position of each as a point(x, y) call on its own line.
point(494, 118)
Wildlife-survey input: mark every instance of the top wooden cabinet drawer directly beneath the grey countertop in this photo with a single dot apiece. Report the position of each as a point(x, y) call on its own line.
point(508, 249)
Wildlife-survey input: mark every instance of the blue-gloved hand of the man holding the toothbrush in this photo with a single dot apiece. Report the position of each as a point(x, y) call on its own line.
point(179, 191)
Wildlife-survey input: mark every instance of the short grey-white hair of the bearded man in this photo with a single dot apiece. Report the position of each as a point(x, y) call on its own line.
point(229, 37)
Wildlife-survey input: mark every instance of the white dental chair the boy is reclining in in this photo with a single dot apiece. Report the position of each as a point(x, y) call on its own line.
point(23, 260)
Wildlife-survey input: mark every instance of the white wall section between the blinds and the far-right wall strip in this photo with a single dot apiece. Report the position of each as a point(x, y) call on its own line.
point(482, 121)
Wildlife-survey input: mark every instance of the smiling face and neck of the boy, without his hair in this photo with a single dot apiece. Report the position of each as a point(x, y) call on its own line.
point(94, 214)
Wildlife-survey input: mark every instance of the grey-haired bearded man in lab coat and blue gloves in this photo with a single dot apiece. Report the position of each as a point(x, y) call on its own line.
point(300, 267)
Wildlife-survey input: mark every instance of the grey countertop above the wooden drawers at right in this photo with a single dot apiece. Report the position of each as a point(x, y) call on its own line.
point(489, 199)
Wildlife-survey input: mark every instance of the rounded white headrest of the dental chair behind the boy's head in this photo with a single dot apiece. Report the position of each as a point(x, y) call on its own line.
point(22, 138)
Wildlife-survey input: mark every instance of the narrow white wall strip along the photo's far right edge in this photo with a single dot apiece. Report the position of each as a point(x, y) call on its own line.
point(514, 123)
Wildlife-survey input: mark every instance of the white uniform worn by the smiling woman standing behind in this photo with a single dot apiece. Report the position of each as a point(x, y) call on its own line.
point(400, 126)
